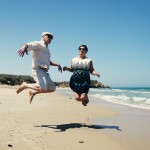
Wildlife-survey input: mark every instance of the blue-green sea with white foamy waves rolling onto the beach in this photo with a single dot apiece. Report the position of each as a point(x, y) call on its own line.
point(134, 97)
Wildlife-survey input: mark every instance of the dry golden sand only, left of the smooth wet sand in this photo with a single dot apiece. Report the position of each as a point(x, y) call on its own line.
point(53, 122)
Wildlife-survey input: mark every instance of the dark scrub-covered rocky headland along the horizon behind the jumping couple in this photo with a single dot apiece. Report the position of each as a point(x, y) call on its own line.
point(18, 79)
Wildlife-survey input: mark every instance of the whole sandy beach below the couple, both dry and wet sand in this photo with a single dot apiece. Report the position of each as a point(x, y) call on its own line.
point(57, 122)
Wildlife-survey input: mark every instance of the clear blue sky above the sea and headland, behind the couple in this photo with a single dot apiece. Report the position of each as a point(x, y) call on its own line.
point(117, 33)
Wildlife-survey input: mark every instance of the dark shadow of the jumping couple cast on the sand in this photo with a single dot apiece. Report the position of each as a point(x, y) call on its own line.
point(64, 127)
